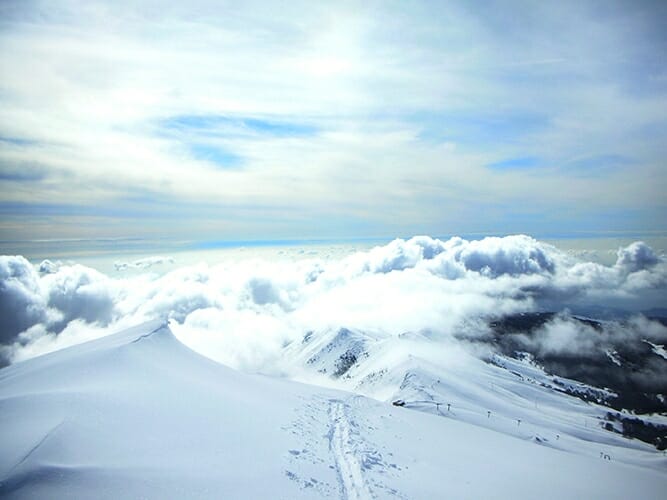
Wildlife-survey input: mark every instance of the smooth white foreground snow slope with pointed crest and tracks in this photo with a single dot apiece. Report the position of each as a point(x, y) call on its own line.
point(139, 415)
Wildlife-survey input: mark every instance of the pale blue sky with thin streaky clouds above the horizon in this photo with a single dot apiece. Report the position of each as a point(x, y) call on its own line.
point(276, 120)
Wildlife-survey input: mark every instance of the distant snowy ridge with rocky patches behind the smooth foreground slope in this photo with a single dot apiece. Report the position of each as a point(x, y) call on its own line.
point(508, 395)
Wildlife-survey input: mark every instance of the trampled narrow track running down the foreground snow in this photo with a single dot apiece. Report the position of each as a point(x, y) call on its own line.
point(342, 446)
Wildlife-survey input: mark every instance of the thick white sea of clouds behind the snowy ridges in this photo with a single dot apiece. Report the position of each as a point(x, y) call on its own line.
point(244, 313)
